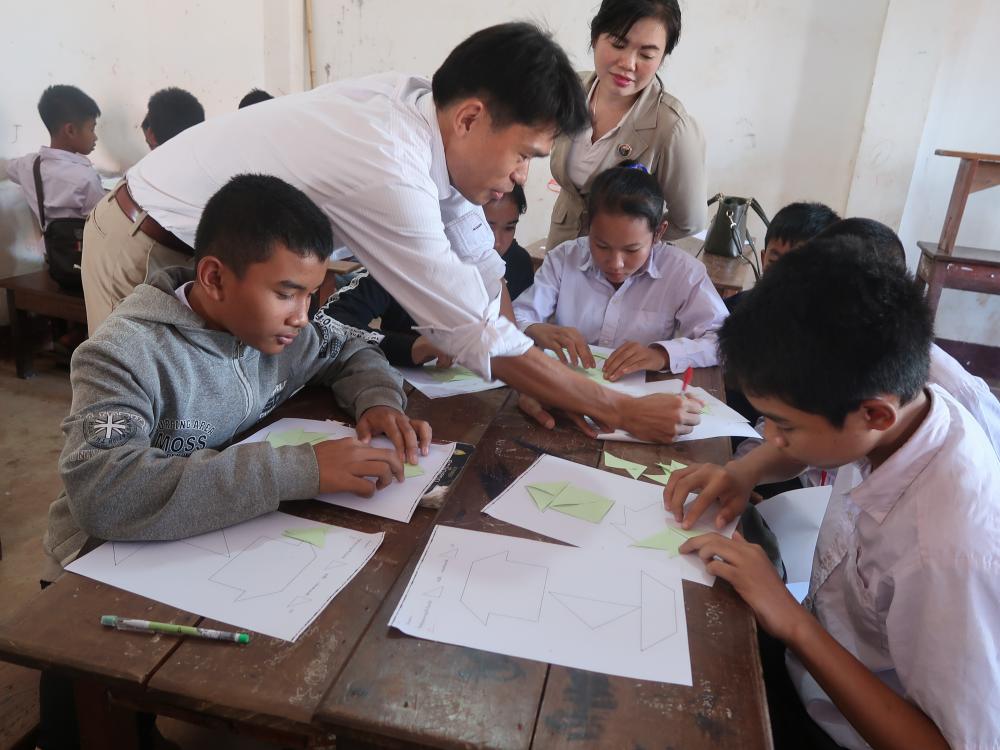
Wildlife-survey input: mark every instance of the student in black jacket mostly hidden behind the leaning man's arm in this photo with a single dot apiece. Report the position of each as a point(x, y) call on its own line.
point(364, 299)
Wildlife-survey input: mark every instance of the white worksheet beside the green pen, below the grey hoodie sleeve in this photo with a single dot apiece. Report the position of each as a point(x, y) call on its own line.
point(247, 575)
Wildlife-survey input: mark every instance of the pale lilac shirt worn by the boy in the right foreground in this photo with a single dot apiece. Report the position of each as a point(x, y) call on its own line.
point(906, 576)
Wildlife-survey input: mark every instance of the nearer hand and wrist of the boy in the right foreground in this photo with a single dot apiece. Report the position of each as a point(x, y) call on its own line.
point(747, 567)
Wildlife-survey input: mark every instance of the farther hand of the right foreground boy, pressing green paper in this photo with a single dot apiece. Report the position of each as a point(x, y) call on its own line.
point(712, 483)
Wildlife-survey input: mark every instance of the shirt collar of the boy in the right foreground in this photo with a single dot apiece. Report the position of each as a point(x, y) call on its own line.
point(881, 489)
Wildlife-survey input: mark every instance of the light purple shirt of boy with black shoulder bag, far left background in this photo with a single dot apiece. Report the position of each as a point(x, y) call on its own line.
point(70, 183)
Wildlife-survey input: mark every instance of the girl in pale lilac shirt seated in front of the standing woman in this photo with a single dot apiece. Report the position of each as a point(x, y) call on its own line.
point(621, 287)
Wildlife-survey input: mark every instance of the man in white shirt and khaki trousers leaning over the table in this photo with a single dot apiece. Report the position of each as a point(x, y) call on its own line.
point(401, 166)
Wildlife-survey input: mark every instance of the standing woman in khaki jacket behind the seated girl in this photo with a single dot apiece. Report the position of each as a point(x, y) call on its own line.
point(632, 117)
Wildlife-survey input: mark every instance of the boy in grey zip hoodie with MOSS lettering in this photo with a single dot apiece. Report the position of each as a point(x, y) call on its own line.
point(193, 358)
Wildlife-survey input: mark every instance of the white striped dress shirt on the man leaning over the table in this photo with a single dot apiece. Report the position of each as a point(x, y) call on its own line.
point(369, 153)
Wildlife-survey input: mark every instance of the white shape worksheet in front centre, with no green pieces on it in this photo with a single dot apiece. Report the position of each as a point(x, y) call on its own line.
point(578, 608)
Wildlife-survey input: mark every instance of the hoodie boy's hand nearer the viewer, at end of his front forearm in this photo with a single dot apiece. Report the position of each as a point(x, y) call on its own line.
point(348, 465)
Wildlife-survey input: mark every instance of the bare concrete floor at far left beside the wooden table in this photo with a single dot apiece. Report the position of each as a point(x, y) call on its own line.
point(30, 442)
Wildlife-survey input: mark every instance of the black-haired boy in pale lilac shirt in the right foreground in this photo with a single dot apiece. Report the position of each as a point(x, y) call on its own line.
point(896, 643)
